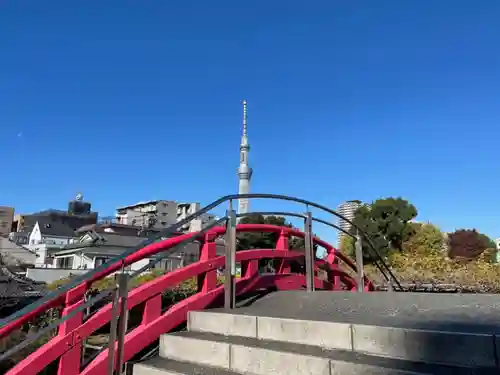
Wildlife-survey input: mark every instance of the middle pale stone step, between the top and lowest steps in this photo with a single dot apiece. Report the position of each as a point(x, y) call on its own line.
point(247, 355)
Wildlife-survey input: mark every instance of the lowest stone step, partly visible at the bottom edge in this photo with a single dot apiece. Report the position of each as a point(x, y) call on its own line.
point(161, 366)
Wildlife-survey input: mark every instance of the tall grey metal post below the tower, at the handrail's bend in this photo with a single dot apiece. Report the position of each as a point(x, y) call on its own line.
point(230, 271)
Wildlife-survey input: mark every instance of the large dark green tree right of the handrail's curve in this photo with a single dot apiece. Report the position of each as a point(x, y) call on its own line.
point(386, 221)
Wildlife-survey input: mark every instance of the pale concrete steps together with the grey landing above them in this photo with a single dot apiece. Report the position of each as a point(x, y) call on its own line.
point(324, 333)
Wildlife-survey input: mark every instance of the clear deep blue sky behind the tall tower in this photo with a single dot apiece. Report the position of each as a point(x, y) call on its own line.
point(136, 100)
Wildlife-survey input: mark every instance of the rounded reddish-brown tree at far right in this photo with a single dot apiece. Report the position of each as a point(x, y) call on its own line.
point(468, 244)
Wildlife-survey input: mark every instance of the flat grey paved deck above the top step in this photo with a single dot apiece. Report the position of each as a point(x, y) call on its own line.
point(474, 313)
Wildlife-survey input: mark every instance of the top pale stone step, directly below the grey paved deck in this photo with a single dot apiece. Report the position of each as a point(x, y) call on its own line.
point(430, 346)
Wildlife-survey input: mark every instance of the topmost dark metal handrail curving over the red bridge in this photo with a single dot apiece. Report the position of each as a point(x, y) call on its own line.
point(173, 229)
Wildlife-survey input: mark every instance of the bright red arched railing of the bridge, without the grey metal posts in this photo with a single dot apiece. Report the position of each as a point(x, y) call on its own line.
point(66, 347)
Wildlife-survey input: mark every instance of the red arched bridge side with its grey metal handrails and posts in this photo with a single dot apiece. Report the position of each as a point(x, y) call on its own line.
point(83, 313)
